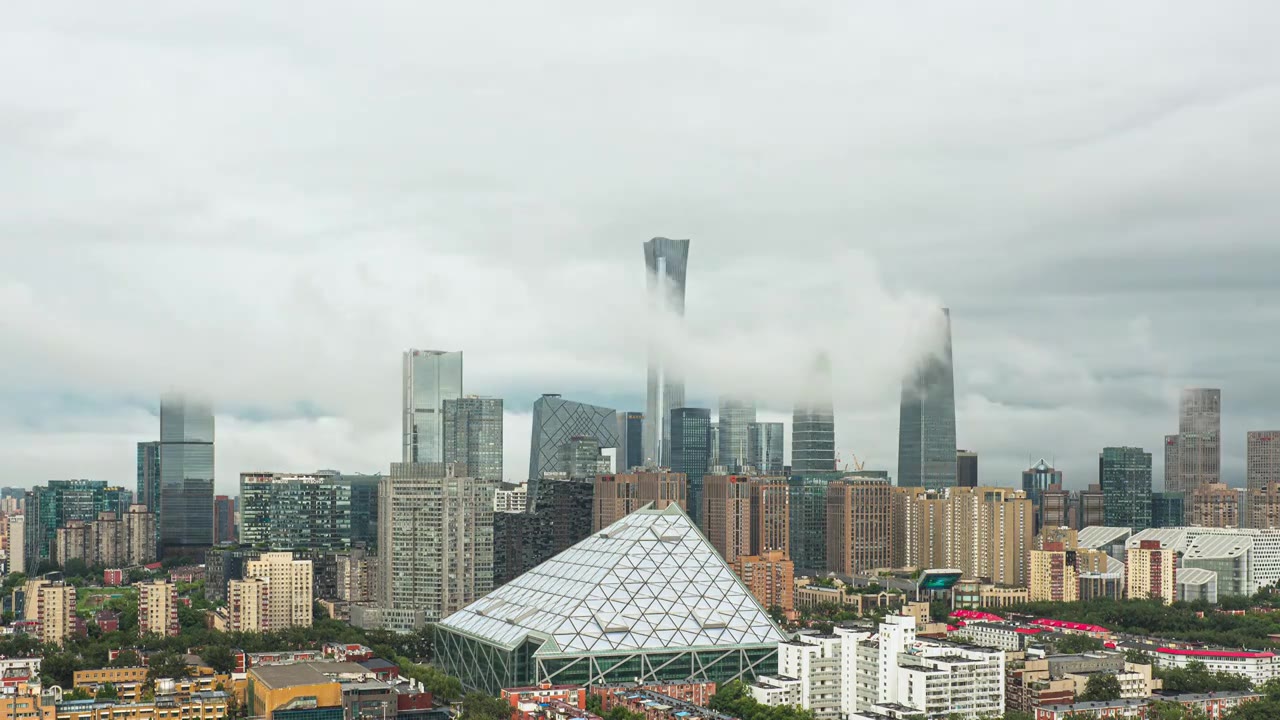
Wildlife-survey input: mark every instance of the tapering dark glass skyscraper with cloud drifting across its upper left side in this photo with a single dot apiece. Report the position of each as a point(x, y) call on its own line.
point(927, 422)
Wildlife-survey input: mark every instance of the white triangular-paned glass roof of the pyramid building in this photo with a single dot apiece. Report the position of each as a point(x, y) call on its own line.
point(646, 582)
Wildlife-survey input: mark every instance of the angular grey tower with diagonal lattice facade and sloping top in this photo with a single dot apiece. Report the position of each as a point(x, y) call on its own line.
point(557, 422)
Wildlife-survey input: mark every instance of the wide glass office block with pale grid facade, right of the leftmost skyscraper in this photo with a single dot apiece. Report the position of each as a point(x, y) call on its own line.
point(295, 512)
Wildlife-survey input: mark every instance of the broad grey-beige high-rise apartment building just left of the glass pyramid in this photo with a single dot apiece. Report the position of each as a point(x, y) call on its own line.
point(436, 539)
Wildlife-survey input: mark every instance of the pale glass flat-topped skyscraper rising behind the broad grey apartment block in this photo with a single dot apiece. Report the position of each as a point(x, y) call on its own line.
point(431, 379)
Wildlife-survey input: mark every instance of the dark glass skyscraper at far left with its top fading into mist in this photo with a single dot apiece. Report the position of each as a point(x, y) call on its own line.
point(186, 514)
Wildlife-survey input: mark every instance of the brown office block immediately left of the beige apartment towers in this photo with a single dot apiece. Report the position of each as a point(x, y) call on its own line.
point(860, 526)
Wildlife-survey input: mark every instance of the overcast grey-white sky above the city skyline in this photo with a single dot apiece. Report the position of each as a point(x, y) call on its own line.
point(271, 202)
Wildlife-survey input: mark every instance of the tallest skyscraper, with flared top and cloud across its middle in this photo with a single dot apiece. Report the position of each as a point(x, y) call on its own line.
point(666, 262)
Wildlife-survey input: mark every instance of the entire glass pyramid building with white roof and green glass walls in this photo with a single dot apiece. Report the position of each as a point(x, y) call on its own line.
point(647, 599)
